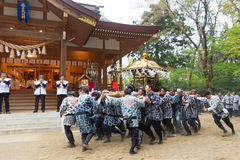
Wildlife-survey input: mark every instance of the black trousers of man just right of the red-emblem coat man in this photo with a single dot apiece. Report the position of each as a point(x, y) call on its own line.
point(156, 126)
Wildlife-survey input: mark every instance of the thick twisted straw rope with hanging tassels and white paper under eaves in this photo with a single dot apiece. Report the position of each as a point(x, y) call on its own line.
point(27, 48)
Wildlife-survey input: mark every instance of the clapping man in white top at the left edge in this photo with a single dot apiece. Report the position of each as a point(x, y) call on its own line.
point(5, 84)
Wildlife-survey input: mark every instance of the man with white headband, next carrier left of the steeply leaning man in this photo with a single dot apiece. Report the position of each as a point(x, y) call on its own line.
point(188, 115)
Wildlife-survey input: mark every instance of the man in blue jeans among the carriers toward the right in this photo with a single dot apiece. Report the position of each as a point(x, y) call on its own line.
point(176, 111)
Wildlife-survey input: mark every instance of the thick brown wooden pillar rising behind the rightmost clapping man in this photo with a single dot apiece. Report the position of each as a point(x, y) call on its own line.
point(63, 59)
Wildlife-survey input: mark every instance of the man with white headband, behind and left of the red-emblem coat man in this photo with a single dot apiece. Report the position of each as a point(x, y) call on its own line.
point(111, 118)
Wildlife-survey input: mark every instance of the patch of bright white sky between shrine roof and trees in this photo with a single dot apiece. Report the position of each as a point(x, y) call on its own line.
point(121, 11)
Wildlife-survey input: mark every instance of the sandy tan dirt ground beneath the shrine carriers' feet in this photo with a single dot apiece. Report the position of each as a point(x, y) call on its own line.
point(52, 145)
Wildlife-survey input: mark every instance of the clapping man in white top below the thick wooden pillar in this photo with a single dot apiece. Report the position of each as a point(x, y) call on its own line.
point(61, 90)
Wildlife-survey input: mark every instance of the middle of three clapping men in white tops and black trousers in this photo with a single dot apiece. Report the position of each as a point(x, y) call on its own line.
point(40, 92)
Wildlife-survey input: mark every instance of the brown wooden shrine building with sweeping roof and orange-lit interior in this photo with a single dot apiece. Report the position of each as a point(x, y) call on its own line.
point(78, 33)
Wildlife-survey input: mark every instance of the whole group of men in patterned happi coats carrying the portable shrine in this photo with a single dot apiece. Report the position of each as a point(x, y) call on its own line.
point(168, 113)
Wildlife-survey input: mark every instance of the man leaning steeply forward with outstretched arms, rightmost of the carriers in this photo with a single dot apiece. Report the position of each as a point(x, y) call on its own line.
point(219, 112)
